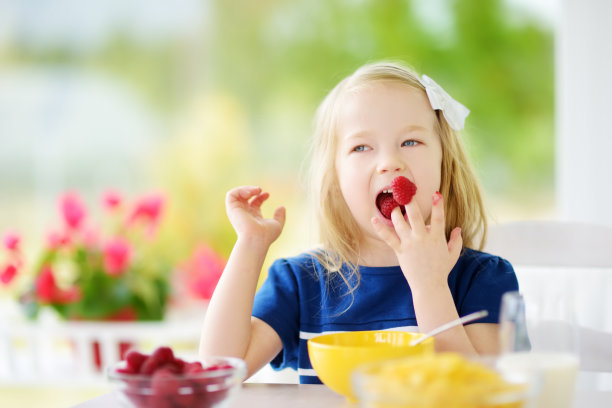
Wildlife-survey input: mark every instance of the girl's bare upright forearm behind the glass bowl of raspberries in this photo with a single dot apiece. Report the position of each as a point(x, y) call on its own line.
point(227, 324)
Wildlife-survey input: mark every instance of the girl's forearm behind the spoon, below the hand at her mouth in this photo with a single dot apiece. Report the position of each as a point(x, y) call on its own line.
point(435, 307)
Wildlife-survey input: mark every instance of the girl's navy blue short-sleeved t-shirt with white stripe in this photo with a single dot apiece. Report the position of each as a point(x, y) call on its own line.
point(299, 303)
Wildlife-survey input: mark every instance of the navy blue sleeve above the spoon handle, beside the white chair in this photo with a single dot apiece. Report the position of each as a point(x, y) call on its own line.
point(492, 277)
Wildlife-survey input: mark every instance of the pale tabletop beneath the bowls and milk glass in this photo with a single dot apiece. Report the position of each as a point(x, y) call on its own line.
point(307, 396)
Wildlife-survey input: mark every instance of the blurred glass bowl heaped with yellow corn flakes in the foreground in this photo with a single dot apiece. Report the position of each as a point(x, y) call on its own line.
point(441, 380)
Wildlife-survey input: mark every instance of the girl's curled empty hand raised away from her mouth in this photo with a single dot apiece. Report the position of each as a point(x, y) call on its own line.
point(243, 206)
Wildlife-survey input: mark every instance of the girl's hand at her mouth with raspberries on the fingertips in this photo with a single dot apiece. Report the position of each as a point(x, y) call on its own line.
point(424, 255)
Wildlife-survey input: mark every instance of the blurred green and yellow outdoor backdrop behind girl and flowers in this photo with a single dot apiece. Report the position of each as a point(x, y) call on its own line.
point(190, 98)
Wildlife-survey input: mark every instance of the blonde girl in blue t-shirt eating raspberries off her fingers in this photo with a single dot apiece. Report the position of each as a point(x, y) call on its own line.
point(414, 270)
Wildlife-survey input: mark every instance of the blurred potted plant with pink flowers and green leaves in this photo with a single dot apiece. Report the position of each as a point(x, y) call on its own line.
point(104, 270)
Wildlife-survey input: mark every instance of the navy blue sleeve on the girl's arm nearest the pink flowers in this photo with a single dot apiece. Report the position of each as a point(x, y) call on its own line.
point(277, 304)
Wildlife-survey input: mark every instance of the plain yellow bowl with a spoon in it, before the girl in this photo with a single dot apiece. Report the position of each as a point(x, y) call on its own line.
point(335, 356)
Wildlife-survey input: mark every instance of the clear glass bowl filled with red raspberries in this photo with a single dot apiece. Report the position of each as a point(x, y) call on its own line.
point(162, 380)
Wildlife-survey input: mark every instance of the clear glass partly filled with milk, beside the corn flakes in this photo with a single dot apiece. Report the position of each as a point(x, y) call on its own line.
point(539, 336)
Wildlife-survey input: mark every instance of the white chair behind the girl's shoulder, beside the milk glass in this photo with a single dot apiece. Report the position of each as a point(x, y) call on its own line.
point(566, 259)
